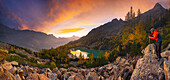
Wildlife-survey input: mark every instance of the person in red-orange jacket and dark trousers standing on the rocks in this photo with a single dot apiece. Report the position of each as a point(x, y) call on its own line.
point(155, 35)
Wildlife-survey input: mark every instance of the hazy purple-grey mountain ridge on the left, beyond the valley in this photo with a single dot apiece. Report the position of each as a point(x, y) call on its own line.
point(31, 39)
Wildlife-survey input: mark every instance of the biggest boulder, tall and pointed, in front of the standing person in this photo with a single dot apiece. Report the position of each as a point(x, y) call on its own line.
point(148, 68)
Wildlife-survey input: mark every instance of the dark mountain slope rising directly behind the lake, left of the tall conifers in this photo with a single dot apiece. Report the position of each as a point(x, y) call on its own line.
point(97, 34)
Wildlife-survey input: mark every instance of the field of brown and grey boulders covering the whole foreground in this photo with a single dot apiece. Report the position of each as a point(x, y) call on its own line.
point(126, 68)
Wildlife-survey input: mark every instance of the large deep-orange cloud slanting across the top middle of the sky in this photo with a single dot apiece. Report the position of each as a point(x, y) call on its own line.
point(69, 10)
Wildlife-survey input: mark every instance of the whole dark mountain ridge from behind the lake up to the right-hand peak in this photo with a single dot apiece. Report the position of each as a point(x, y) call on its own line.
point(114, 28)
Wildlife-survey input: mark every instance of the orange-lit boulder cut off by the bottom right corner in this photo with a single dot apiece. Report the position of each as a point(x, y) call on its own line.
point(167, 69)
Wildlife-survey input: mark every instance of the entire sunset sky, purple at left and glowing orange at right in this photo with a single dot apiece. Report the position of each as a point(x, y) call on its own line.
point(65, 18)
